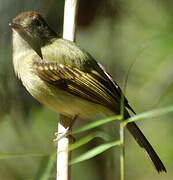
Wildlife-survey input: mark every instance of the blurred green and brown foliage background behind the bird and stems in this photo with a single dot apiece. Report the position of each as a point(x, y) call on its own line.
point(117, 33)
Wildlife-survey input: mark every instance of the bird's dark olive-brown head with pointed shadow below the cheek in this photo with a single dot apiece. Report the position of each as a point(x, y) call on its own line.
point(32, 27)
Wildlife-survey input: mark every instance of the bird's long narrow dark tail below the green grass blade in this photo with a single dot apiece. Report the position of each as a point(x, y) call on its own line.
point(143, 142)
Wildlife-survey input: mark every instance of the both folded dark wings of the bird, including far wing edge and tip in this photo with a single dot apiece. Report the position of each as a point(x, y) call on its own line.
point(93, 84)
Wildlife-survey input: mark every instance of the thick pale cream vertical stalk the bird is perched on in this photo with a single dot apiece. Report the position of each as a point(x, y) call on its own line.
point(65, 124)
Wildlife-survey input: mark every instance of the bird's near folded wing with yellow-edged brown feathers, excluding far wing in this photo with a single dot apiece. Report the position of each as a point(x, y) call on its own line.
point(87, 85)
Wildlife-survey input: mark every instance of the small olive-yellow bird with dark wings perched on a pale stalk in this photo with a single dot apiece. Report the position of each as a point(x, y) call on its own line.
point(66, 78)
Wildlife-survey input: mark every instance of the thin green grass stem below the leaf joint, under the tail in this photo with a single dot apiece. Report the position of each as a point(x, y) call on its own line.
point(122, 153)
